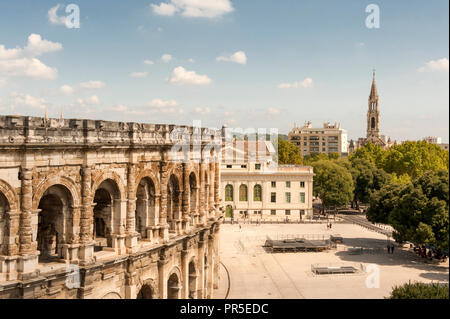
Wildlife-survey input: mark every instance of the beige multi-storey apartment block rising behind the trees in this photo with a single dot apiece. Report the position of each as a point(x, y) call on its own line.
point(328, 139)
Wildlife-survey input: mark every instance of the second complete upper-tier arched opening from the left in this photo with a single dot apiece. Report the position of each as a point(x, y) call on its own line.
point(107, 205)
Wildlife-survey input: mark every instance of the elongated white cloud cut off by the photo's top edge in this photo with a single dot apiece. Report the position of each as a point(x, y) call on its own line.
point(194, 8)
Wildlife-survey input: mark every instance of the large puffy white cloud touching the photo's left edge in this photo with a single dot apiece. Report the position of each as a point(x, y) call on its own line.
point(22, 62)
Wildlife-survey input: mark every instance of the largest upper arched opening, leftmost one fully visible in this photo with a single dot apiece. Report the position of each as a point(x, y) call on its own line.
point(53, 222)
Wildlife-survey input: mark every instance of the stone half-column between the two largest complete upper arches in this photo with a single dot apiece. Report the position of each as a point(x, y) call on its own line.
point(86, 251)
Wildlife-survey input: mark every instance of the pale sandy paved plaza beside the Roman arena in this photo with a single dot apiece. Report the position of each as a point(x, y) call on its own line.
point(255, 273)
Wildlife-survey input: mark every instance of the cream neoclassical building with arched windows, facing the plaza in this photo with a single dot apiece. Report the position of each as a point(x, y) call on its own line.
point(257, 188)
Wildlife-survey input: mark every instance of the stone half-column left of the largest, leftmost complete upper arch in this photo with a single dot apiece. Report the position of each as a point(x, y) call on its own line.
point(28, 248)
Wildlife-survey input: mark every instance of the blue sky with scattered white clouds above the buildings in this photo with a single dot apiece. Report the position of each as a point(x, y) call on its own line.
point(262, 63)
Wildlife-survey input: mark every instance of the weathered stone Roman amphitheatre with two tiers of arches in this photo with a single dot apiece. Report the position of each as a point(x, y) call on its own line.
point(121, 176)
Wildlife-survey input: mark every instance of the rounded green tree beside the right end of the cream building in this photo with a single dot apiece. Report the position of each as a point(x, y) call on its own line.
point(333, 184)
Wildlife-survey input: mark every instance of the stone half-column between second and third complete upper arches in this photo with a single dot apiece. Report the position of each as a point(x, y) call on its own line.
point(132, 236)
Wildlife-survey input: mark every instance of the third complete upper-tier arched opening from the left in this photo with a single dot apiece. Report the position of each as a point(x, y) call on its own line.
point(145, 206)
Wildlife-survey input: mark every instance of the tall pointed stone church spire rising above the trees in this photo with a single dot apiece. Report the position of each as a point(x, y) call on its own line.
point(373, 124)
